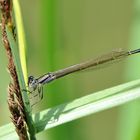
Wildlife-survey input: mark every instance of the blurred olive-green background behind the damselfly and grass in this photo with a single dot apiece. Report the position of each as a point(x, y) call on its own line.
point(60, 33)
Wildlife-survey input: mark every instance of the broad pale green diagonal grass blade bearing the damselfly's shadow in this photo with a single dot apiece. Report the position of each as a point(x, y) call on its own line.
point(83, 106)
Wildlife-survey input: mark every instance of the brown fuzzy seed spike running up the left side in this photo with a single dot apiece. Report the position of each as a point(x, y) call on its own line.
point(15, 101)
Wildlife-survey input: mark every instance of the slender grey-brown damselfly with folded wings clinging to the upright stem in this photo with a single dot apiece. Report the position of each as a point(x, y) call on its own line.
point(36, 84)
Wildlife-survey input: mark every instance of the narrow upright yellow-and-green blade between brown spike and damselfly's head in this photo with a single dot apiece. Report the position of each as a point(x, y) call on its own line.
point(20, 62)
